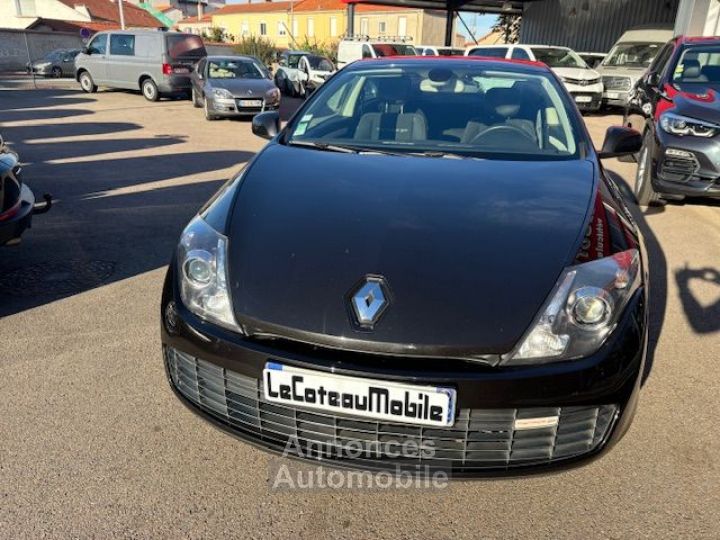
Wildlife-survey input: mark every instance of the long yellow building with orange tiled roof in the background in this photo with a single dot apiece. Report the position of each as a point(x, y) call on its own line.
point(289, 24)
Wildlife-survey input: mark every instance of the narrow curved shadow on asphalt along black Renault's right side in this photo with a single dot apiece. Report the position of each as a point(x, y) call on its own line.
point(658, 272)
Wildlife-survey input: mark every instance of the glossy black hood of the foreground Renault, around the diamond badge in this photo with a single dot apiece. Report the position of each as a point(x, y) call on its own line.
point(470, 249)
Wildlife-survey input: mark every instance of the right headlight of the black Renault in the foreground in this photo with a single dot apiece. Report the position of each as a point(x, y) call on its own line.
point(582, 310)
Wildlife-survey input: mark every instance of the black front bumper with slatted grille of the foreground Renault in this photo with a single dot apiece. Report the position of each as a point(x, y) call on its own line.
point(218, 375)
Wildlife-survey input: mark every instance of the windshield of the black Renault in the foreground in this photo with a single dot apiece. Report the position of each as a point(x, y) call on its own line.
point(466, 110)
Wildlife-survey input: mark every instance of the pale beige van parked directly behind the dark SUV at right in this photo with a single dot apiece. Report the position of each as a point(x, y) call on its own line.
point(628, 59)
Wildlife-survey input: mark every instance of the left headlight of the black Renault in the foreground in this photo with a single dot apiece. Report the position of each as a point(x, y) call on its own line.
point(202, 271)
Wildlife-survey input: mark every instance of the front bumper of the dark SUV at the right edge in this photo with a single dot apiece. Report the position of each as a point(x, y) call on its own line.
point(694, 175)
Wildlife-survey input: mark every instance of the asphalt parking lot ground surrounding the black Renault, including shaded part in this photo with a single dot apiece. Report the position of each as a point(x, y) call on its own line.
point(94, 444)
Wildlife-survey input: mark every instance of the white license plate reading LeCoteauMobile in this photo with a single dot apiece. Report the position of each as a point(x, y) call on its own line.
point(355, 396)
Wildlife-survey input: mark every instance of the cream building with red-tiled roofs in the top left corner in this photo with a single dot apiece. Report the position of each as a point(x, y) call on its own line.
point(72, 15)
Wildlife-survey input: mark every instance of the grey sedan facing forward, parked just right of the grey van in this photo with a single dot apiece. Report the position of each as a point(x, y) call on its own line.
point(232, 86)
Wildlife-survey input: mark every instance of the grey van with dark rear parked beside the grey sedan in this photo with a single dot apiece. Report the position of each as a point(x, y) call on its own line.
point(153, 62)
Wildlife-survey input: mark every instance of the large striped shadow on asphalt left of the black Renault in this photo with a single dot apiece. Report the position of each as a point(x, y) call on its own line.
point(113, 218)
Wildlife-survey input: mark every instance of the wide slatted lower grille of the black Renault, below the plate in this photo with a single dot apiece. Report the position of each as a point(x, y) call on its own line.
point(480, 438)
